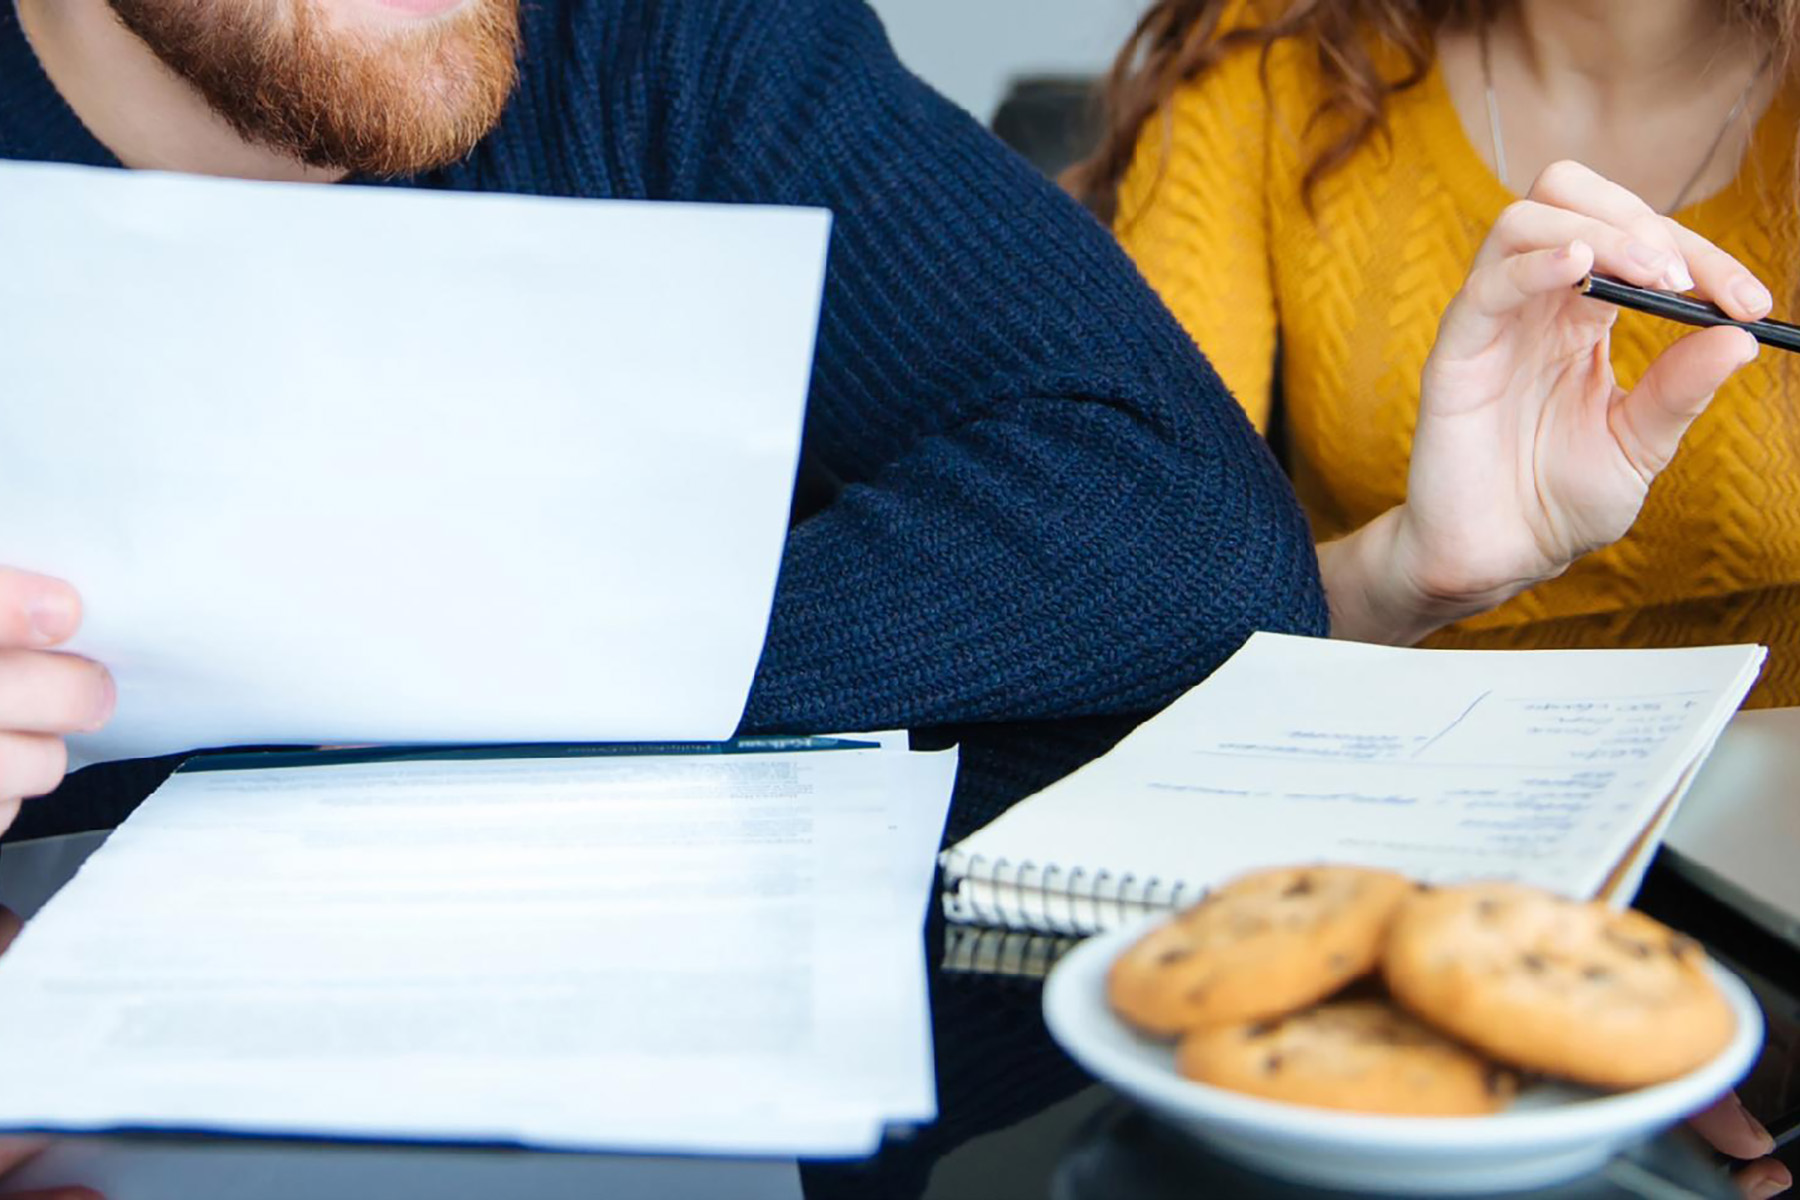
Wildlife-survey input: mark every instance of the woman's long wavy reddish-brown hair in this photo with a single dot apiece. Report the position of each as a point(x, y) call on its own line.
point(1182, 40)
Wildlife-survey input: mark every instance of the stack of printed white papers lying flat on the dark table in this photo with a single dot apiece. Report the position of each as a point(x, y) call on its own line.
point(712, 954)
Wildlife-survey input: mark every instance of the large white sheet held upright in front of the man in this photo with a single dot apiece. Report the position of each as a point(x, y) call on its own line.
point(341, 465)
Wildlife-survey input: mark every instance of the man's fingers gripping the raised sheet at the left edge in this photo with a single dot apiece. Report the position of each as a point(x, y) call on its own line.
point(44, 695)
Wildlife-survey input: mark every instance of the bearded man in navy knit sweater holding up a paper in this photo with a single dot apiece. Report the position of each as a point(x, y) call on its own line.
point(1043, 505)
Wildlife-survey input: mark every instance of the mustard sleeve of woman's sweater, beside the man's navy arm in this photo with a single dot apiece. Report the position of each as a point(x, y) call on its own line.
point(1194, 213)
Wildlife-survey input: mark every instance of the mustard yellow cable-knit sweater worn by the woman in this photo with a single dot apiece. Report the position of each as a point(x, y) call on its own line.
point(1345, 309)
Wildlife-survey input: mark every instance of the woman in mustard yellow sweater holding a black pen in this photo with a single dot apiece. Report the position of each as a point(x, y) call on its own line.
point(1311, 184)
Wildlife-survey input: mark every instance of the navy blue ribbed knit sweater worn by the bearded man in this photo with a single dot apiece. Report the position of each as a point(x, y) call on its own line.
point(1048, 505)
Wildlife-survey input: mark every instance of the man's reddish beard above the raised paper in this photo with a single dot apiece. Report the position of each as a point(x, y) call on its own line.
point(384, 105)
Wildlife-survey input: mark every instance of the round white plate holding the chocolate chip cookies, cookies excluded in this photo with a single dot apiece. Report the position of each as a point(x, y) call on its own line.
point(1549, 1136)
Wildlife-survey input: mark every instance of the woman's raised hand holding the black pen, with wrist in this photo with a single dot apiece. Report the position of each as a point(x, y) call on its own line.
point(1527, 452)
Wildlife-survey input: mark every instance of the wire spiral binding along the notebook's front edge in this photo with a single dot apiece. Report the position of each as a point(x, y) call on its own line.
point(1050, 899)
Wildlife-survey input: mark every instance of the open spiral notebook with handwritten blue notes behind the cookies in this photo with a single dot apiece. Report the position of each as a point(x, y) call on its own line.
point(1558, 769)
